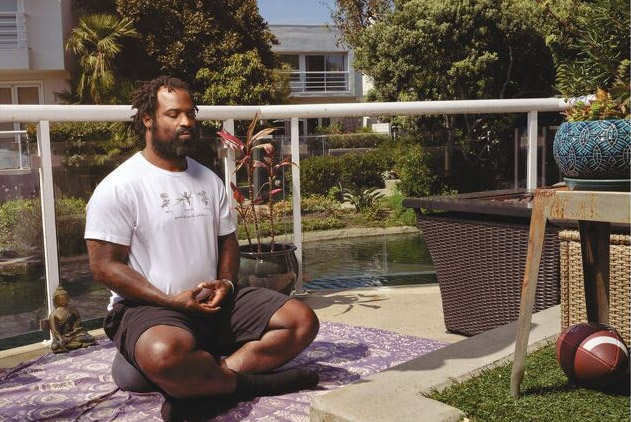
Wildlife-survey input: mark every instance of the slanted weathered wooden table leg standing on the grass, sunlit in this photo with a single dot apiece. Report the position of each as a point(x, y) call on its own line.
point(536, 235)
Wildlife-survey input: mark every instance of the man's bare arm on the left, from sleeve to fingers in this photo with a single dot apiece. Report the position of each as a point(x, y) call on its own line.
point(108, 263)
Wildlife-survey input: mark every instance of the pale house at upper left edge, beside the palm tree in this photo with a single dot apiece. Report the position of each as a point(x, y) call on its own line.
point(33, 64)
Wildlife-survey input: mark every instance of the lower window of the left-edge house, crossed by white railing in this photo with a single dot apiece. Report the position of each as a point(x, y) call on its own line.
point(14, 152)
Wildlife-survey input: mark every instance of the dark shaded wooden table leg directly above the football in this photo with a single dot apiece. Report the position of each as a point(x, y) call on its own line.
point(595, 253)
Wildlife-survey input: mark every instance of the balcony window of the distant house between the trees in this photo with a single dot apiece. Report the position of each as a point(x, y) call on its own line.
point(326, 72)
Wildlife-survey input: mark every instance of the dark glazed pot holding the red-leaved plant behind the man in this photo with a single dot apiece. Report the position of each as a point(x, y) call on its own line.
point(276, 270)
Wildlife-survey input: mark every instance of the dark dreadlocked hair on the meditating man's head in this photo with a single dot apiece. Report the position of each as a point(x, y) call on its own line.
point(145, 98)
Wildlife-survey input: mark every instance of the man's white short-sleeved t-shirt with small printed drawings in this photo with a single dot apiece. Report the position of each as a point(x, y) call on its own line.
point(170, 221)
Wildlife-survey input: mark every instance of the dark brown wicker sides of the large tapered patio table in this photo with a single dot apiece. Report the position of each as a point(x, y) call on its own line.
point(480, 266)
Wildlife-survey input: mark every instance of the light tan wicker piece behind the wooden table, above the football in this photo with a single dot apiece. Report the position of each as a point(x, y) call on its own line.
point(573, 308)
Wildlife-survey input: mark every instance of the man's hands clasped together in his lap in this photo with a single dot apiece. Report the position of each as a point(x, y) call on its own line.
point(206, 298)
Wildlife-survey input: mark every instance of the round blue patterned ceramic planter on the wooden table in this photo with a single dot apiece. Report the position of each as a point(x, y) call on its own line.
point(596, 149)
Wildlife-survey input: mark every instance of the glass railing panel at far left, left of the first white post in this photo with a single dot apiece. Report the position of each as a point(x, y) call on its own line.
point(22, 268)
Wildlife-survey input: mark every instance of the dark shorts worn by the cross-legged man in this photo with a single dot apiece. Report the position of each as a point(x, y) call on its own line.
point(241, 320)
